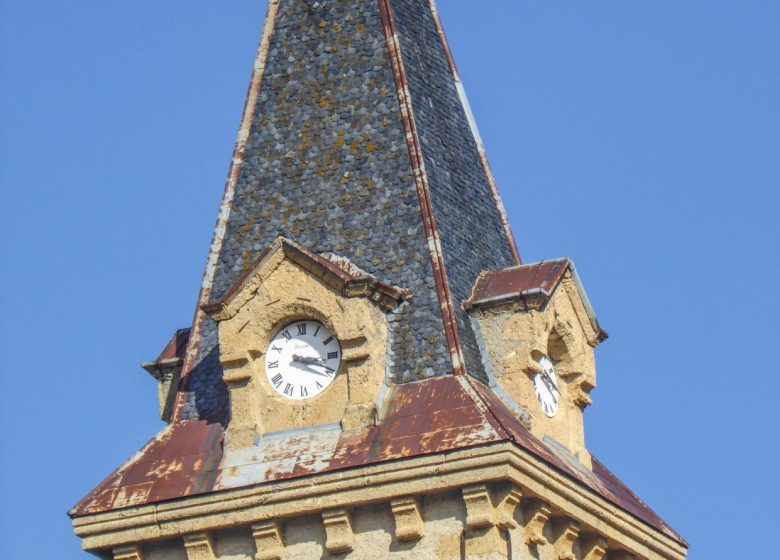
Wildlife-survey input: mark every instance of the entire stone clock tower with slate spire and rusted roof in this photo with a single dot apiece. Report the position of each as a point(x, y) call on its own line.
point(372, 372)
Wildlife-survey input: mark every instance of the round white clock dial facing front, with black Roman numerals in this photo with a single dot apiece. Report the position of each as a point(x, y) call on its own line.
point(302, 360)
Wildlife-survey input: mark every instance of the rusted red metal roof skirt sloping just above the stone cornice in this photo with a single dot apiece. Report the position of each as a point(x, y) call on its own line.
point(426, 417)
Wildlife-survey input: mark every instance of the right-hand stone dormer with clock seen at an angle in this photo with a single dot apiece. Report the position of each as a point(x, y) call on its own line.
point(538, 332)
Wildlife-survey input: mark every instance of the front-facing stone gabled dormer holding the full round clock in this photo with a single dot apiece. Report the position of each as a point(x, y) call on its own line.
point(288, 288)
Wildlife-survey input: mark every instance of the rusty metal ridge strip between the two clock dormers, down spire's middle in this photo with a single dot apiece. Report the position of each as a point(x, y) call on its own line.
point(423, 188)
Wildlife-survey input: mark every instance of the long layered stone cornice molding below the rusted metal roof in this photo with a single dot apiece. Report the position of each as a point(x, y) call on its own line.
point(378, 483)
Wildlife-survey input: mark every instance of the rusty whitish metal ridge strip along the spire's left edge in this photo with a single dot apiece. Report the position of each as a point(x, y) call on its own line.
point(239, 153)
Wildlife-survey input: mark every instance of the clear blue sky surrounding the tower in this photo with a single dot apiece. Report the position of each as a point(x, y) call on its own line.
point(639, 138)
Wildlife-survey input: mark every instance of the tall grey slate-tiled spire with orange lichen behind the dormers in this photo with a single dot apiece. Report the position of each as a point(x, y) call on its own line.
point(357, 140)
